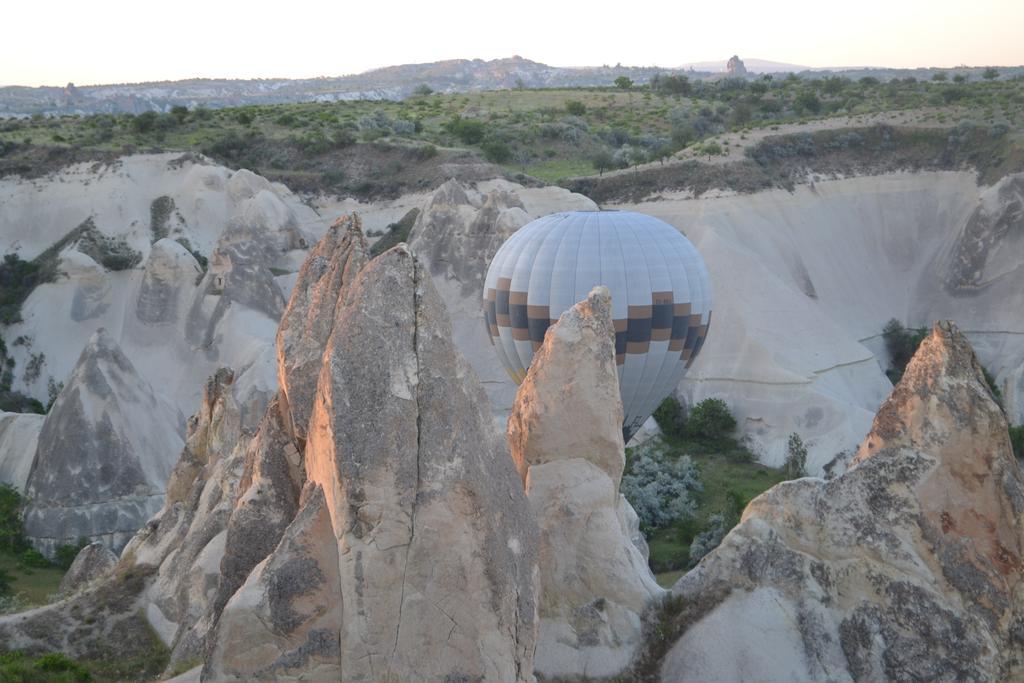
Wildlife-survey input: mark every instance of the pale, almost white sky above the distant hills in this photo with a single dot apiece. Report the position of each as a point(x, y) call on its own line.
point(115, 41)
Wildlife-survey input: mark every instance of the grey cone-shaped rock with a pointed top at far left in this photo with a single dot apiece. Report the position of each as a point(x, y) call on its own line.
point(102, 460)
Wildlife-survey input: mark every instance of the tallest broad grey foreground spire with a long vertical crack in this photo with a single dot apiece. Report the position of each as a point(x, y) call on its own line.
point(402, 443)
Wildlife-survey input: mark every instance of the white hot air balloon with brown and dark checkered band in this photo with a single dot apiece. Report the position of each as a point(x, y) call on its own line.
point(661, 297)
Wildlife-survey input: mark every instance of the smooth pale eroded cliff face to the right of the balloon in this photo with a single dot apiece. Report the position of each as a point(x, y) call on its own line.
point(805, 282)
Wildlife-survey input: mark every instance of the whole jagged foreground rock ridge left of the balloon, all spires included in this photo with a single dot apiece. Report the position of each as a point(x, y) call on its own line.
point(390, 540)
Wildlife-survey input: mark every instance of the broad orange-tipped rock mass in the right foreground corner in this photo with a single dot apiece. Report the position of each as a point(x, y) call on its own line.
point(907, 568)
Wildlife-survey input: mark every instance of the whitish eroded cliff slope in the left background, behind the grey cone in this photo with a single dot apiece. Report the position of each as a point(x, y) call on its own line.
point(168, 208)
